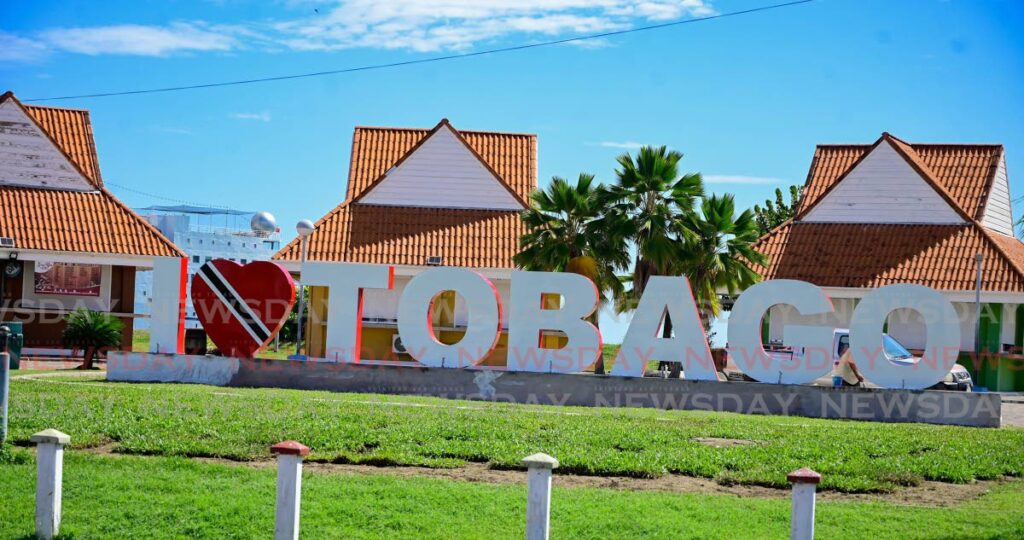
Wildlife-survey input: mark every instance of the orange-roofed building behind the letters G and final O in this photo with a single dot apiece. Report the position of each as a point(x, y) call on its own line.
point(901, 213)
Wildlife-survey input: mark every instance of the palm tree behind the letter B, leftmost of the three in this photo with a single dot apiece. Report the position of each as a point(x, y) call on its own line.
point(568, 231)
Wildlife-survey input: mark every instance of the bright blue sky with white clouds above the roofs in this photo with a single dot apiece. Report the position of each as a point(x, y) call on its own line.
point(746, 99)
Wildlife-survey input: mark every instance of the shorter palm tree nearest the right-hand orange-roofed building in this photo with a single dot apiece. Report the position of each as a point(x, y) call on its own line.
point(720, 255)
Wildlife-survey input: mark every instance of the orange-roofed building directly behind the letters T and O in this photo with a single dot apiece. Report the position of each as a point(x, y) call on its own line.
point(421, 198)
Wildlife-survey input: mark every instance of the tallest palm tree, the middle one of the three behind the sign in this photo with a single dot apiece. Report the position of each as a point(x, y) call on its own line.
point(653, 203)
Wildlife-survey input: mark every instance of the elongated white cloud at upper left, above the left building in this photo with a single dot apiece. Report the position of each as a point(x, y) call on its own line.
point(141, 40)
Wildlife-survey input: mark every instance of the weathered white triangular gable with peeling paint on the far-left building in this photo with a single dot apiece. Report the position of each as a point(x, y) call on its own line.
point(30, 158)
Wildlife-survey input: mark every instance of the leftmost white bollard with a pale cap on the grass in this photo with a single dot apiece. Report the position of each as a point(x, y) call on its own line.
point(50, 476)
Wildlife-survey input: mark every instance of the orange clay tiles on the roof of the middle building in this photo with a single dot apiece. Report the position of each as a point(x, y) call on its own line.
point(391, 235)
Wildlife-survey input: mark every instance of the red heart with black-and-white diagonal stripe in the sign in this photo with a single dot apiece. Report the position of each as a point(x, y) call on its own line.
point(242, 308)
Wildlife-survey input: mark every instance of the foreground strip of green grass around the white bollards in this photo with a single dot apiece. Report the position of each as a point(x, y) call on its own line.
point(150, 497)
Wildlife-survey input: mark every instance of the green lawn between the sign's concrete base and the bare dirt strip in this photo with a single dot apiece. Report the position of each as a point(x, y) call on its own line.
point(242, 424)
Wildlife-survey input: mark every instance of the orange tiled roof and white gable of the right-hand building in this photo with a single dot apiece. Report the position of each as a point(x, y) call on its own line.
point(970, 180)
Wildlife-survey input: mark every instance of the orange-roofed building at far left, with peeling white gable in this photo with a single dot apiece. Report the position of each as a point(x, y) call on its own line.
point(65, 240)
